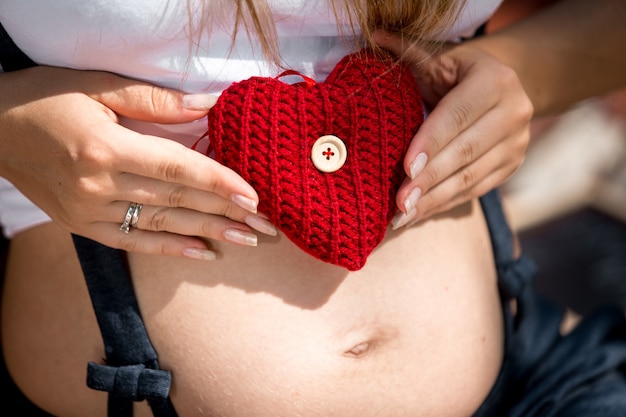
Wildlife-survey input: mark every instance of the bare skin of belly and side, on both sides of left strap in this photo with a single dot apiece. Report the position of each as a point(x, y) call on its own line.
point(271, 331)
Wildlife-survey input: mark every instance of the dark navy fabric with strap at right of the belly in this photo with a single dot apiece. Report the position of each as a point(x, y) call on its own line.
point(545, 373)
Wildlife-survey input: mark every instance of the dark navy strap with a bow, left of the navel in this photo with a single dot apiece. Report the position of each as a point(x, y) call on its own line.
point(131, 372)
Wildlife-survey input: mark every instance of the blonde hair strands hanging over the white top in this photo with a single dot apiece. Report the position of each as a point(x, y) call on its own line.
point(416, 20)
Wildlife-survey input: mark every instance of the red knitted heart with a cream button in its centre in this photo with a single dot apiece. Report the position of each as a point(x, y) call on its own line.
point(264, 129)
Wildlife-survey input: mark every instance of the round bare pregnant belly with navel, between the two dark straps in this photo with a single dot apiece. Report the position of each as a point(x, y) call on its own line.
point(270, 331)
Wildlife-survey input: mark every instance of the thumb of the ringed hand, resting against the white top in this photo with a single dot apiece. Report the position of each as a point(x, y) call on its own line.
point(147, 102)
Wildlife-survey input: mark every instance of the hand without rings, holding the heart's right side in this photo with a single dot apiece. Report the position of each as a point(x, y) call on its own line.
point(475, 135)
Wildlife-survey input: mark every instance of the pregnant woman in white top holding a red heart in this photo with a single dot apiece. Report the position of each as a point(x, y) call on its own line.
point(441, 319)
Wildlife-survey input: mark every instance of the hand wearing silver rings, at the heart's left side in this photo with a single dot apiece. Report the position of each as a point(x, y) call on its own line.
point(61, 145)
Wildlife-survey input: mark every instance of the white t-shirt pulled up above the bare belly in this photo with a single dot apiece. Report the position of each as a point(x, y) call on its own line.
point(149, 40)
